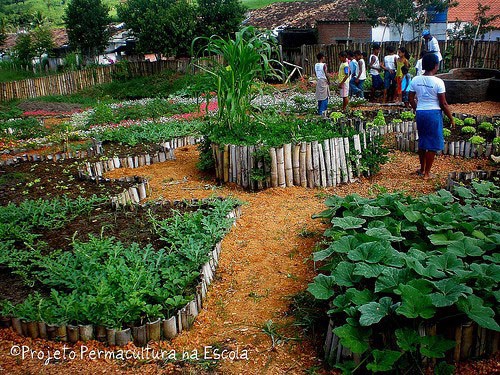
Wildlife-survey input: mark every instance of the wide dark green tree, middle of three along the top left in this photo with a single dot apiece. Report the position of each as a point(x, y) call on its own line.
point(164, 27)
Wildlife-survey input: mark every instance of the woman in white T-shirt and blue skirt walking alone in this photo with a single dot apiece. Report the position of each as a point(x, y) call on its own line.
point(427, 98)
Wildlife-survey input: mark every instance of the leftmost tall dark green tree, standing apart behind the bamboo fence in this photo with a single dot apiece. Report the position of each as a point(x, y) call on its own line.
point(87, 25)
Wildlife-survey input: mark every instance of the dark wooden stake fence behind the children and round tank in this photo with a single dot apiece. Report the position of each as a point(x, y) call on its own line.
point(456, 53)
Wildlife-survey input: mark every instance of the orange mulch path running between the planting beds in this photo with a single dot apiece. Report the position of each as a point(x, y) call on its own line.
point(264, 261)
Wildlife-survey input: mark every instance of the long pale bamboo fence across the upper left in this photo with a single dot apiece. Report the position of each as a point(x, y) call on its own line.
point(72, 82)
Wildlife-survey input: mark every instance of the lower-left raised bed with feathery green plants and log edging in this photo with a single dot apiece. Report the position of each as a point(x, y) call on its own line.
point(136, 275)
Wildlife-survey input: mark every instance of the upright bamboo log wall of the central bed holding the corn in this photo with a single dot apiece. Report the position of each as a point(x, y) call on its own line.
point(307, 164)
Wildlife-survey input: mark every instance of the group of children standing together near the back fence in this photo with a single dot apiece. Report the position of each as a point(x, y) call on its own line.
point(353, 72)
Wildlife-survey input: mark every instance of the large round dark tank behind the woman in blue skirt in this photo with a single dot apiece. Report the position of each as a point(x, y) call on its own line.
point(465, 85)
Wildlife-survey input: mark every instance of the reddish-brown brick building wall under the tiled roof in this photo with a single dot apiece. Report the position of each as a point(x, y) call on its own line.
point(329, 33)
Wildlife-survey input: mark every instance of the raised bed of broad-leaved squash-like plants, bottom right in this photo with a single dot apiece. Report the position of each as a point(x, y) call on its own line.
point(411, 281)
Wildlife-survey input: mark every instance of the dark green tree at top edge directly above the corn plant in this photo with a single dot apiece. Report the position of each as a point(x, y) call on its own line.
point(220, 17)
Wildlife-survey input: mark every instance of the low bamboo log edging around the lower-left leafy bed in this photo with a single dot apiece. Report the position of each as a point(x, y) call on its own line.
point(167, 329)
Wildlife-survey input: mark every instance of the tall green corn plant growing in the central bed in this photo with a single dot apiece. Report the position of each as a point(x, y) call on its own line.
point(245, 59)
